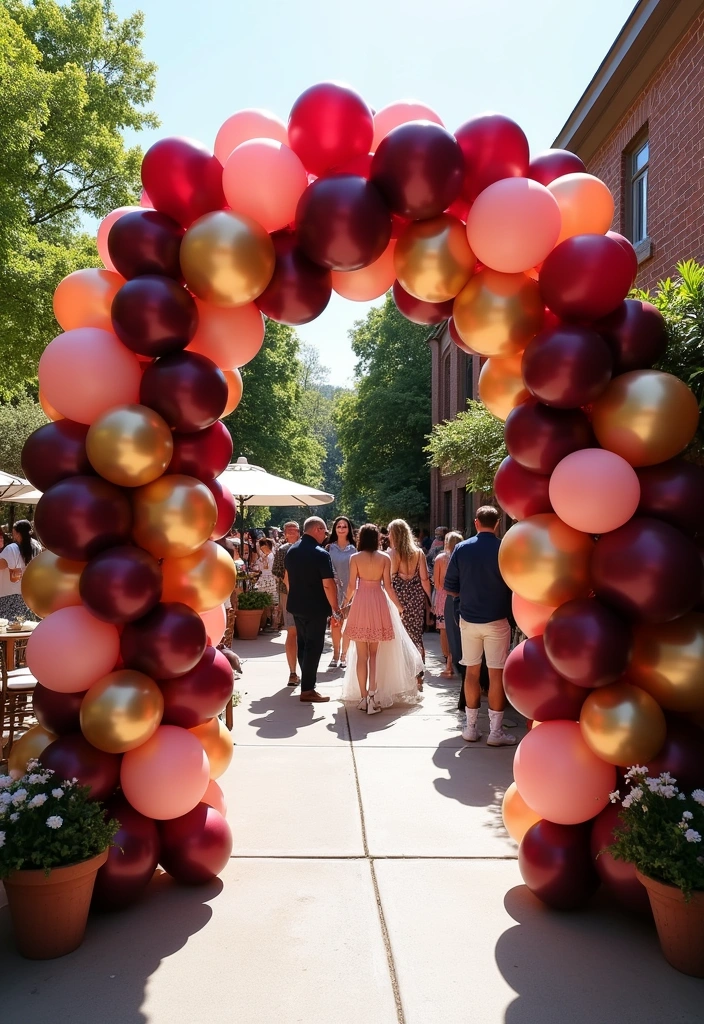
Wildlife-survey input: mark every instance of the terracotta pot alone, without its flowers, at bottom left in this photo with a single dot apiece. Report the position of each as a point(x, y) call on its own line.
point(50, 912)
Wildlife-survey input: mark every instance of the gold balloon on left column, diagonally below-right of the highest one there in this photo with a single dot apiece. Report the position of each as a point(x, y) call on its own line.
point(173, 517)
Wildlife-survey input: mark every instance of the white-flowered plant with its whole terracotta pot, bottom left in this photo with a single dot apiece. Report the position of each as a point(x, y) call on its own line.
point(54, 839)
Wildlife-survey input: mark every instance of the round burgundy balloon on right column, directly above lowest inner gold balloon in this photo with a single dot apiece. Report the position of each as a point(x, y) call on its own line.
point(588, 644)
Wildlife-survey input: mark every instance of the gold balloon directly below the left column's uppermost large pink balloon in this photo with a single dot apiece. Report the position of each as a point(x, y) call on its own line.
point(130, 446)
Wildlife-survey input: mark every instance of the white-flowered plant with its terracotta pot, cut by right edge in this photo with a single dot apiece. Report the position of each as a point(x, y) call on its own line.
point(664, 837)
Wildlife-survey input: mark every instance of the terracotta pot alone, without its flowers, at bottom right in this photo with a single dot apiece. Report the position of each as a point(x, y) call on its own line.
point(680, 925)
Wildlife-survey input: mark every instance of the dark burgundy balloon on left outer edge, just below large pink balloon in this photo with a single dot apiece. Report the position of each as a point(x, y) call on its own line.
point(56, 452)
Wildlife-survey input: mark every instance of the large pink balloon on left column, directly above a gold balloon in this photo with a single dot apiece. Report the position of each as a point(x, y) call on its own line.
point(85, 372)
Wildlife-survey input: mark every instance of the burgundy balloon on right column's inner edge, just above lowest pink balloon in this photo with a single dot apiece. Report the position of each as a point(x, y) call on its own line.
point(536, 690)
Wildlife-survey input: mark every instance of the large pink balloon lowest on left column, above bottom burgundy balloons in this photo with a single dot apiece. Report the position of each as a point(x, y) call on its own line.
point(166, 777)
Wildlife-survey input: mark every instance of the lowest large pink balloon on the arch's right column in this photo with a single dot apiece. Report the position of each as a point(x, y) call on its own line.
point(559, 777)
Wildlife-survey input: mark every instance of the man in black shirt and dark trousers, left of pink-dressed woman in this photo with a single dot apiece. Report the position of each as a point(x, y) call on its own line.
point(313, 599)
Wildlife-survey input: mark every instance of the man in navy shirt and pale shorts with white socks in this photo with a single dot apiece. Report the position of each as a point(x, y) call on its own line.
point(485, 606)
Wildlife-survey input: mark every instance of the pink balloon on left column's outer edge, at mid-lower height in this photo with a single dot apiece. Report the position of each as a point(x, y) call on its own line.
point(71, 650)
